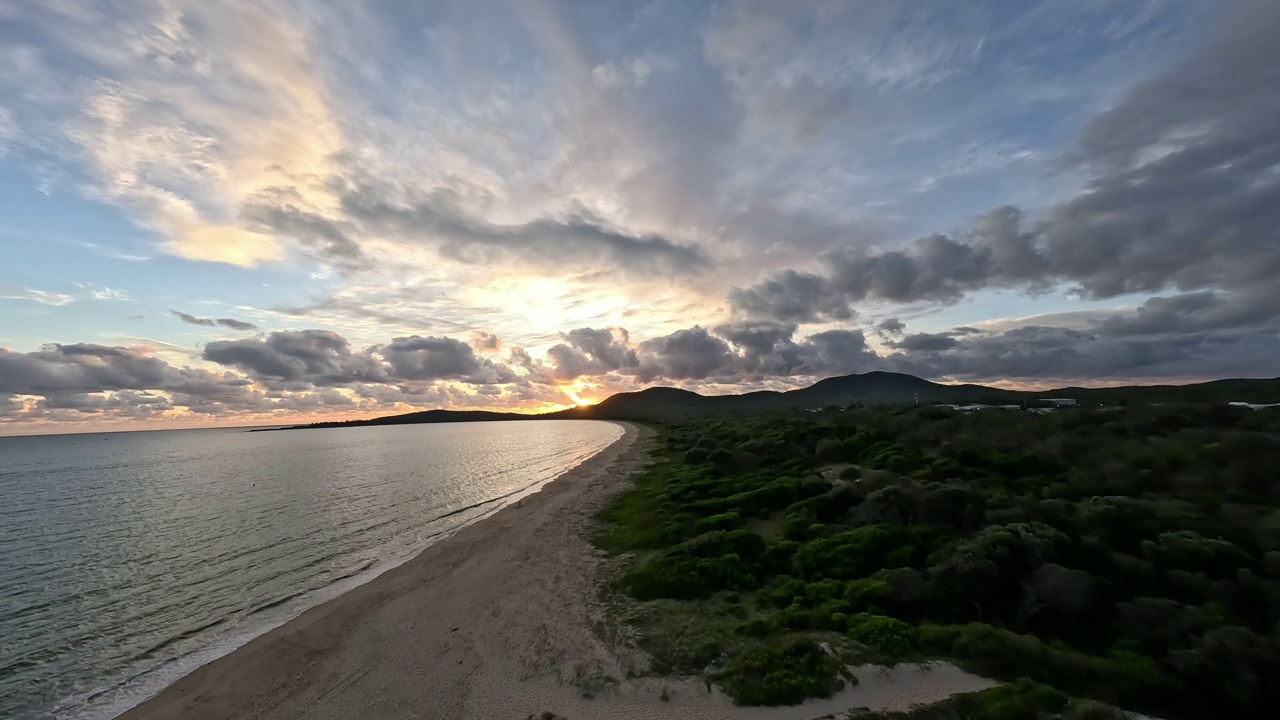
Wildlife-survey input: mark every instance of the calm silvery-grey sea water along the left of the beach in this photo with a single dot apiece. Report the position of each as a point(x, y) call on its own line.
point(130, 559)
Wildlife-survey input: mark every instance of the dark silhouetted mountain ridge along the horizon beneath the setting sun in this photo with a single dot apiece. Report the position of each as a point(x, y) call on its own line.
point(867, 389)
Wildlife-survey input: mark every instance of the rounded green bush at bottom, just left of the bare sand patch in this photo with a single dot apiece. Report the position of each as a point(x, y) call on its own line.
point(785, 673)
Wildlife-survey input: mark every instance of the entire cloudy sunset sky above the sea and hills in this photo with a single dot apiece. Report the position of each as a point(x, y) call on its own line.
point(226, 212)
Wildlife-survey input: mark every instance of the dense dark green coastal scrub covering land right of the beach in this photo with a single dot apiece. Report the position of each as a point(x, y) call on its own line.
point(1122, 555)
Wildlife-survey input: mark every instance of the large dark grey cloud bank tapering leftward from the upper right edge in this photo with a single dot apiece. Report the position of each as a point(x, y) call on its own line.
point(1182, 193)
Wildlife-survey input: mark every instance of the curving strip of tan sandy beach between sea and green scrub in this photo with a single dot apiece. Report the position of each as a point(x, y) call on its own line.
point(502, 621)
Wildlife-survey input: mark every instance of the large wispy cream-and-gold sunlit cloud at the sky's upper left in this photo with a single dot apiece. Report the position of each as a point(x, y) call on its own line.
point(171, 112)
